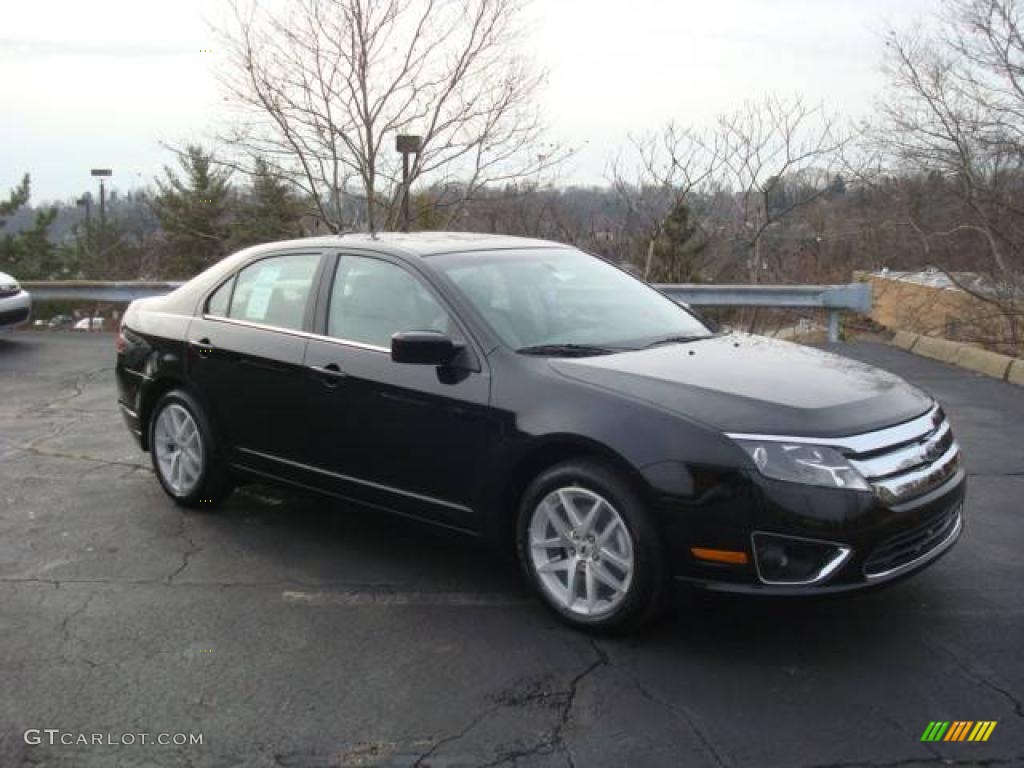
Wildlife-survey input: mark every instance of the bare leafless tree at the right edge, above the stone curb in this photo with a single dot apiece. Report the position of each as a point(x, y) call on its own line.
point(956, 107)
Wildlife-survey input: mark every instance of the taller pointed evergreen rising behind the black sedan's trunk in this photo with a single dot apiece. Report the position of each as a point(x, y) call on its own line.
point(193, 210)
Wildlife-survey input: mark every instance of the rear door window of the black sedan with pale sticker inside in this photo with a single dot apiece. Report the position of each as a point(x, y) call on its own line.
point(275, 291)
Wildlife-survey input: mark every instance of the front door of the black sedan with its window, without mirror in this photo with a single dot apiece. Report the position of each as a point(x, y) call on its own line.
point(410, 438)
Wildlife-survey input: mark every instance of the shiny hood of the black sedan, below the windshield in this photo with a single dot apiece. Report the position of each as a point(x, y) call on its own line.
point(757, 386)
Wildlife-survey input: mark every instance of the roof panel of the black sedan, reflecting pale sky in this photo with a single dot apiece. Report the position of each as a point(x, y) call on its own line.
point(415, 244)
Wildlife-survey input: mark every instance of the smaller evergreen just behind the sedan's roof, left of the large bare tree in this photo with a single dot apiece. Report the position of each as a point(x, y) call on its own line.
point(270, 211)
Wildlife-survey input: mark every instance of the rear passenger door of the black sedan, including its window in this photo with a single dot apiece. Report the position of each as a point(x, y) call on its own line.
point(246, 355)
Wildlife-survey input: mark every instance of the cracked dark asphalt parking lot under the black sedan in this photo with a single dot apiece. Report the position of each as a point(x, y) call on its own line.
point(291, 633)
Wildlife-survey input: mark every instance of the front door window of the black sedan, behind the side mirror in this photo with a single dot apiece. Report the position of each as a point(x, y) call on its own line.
point(372, 301)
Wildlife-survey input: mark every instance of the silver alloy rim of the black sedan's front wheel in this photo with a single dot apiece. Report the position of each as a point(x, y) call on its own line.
point(582, 551)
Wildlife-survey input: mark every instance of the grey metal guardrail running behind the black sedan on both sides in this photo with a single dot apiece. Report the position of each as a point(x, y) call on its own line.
point(856, 297)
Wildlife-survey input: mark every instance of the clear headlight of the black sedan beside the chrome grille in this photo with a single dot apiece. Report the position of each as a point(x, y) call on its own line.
point(815, 465)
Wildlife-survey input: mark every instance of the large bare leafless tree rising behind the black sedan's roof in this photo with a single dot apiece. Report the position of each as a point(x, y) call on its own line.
point(323, 88)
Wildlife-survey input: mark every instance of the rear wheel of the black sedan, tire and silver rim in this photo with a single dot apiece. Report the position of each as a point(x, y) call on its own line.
point(179, 428)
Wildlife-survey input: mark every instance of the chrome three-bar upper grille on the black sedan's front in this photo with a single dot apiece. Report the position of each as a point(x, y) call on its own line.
point(908, 460)
